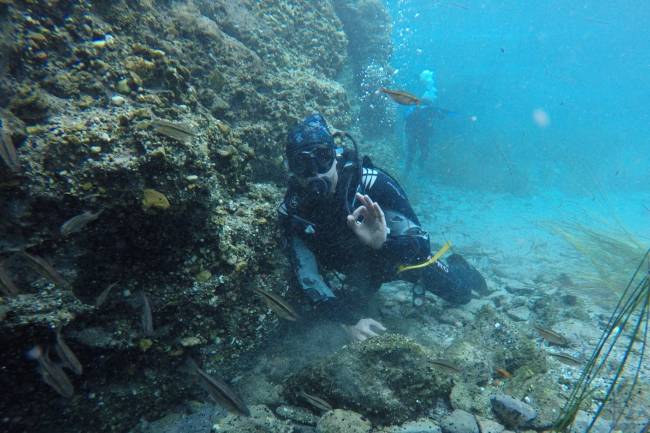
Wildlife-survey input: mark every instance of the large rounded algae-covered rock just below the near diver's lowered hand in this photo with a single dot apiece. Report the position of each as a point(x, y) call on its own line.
point(388, 379)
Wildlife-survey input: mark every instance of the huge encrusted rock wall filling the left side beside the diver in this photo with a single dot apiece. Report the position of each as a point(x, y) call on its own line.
point(185, 219)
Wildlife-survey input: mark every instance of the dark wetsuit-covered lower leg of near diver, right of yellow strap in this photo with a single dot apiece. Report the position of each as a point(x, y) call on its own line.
point(453, 282)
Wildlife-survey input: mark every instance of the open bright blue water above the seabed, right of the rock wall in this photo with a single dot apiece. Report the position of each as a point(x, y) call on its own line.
point(585, 65)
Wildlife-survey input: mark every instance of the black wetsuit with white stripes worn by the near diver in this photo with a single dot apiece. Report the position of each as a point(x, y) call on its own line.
point(319, 238)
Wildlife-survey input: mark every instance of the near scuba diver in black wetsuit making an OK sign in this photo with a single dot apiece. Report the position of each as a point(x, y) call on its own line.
point(343, 214)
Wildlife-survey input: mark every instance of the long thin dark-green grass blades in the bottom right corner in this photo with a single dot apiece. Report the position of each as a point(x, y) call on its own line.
point(621, 349)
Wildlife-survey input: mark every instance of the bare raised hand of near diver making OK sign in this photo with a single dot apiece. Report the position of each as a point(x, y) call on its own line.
point(368, 222)
